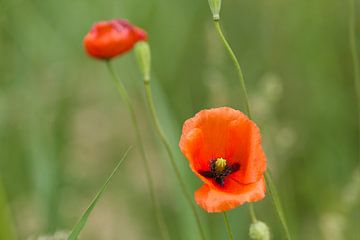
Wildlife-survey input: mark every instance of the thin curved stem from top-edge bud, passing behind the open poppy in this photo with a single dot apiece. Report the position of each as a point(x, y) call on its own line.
point(273, 191)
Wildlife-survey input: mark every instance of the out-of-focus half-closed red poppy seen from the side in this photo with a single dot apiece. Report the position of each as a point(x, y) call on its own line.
point(111, 38)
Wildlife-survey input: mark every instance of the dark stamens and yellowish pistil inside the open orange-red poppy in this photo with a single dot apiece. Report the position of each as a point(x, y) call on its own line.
point(219, 169)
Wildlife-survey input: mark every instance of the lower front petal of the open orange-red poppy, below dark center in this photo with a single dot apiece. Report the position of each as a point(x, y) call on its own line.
point(212, 200)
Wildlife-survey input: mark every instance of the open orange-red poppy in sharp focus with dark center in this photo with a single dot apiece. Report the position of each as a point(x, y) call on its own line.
point(224, 150)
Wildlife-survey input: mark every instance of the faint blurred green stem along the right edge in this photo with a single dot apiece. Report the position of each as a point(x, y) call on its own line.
point(355, 58)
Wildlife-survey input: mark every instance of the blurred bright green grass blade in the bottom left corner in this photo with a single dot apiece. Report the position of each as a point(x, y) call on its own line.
point(7, 230)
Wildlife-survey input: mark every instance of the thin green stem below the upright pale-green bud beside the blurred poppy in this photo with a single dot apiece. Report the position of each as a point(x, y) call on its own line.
point(166, 143)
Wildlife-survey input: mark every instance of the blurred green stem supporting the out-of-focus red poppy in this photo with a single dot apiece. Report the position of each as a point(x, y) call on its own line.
point(124, 95)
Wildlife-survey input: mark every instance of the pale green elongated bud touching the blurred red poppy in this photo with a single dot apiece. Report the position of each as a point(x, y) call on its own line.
point(143, 55)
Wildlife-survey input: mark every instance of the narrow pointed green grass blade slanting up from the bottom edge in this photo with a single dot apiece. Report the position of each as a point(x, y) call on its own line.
point(81, 223)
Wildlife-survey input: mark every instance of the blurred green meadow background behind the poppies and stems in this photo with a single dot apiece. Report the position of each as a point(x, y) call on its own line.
point(63, 126)
